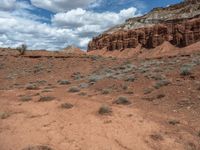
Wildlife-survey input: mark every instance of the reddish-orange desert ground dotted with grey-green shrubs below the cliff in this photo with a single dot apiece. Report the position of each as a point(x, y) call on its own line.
point(57, 101)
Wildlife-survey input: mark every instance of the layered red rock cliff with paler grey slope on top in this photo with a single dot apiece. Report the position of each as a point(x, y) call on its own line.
point(179, 24)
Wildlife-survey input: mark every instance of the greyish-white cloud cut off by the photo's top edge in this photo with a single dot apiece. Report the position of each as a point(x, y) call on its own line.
point(61, 5)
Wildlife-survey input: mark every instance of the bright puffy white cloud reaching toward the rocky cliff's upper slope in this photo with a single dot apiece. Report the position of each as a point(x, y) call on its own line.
point(88, 21)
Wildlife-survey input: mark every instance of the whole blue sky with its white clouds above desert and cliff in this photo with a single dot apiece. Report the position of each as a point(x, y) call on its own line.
point(53, 24)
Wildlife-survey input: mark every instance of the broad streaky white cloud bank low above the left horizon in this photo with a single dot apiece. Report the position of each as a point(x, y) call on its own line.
point(16, 30)
